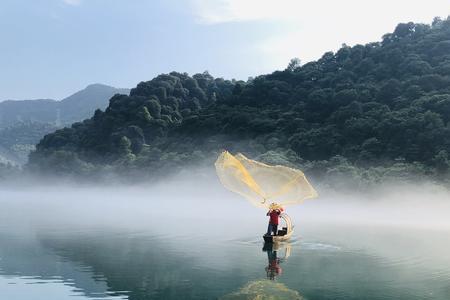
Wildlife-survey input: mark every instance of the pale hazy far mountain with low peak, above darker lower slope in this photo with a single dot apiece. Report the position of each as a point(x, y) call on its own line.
point(76, 107)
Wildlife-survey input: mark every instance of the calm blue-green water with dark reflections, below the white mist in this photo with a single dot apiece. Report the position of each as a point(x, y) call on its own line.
point(139, 265)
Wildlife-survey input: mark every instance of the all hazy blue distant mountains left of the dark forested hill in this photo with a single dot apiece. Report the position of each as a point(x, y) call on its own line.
point(24, 122)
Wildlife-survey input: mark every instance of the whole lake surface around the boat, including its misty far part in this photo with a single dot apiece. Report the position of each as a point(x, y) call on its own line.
point(110, 249)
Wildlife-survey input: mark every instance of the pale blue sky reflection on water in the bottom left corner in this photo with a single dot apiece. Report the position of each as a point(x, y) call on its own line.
point(29, 271)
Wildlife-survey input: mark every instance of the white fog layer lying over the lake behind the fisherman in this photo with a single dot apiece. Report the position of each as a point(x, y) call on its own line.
point(205, 201)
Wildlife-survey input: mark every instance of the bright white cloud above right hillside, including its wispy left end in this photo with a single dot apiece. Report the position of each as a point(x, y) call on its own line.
point(307, 29)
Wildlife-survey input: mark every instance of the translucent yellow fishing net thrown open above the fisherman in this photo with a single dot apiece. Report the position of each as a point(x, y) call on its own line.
point(261, 184)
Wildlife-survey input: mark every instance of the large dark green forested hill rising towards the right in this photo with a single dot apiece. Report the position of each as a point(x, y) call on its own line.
point(382, 104)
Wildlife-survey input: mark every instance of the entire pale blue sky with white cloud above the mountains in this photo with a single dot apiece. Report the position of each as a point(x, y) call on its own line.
point(53, 48)
